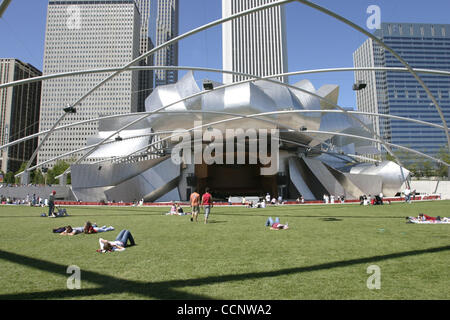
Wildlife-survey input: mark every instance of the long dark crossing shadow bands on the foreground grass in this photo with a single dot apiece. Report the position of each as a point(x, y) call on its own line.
point(168, 290)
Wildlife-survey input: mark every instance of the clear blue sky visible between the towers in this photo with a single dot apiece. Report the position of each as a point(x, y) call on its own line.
point(314, 40)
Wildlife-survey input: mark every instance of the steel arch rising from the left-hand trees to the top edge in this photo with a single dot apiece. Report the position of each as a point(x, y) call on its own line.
point(147, 54)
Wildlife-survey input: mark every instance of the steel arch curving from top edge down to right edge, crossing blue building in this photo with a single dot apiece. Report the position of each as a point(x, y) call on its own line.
point(392, 51)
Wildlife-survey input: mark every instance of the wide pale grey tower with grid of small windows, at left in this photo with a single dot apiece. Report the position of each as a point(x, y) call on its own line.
point(80, 35)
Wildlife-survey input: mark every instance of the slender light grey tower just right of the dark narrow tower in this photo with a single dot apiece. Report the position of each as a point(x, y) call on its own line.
point(146, 44)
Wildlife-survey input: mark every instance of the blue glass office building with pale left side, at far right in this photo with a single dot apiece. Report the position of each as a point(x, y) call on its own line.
point(425, 46)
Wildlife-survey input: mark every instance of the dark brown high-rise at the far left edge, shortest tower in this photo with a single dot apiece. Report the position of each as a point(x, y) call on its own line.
point(19, 113)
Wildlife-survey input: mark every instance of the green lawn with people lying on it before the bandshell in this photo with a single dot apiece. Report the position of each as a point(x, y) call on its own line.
point(324, 255)
